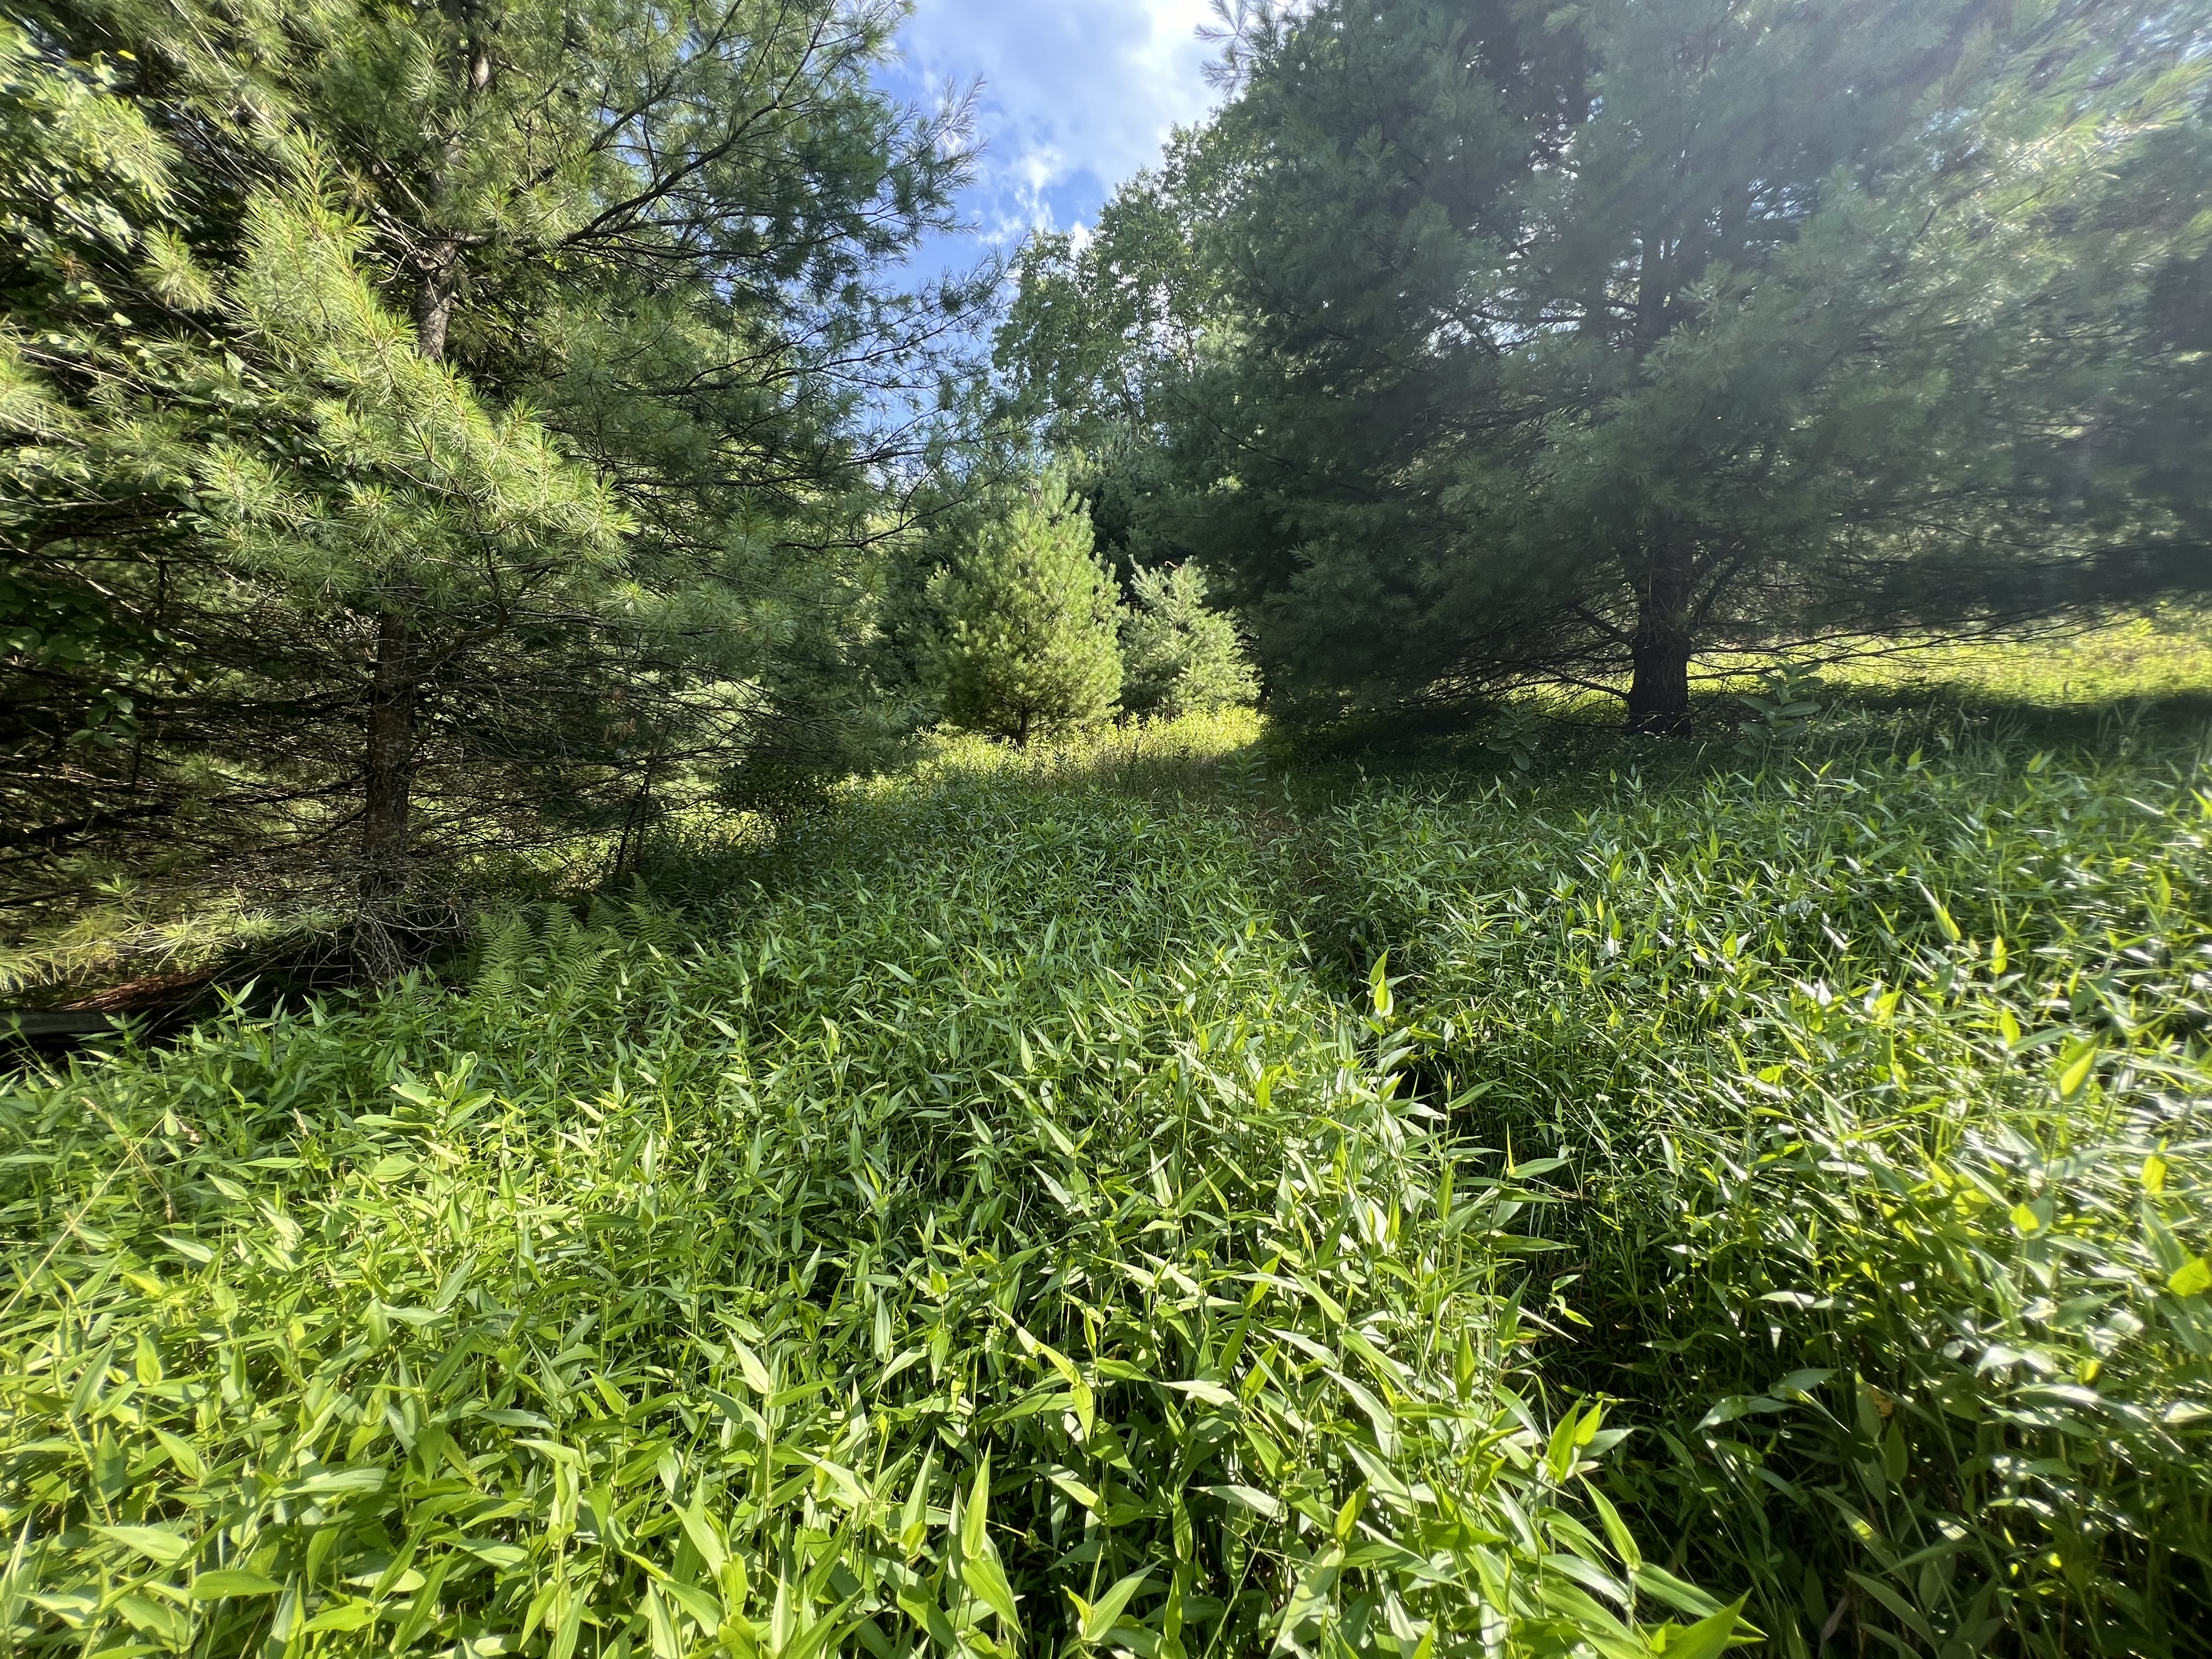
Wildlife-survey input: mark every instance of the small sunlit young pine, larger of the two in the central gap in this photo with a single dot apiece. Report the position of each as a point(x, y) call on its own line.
point(1027, 618)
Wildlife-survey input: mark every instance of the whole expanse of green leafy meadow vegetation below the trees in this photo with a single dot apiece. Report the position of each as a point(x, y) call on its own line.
point(1158, 1196)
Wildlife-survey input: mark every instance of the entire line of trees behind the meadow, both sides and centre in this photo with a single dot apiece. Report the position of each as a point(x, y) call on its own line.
point(448, 428)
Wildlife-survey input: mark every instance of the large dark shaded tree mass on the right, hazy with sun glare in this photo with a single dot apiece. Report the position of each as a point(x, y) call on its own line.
point(1483, 344)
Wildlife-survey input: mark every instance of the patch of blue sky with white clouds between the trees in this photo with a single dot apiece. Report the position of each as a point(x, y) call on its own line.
point(1076, 96)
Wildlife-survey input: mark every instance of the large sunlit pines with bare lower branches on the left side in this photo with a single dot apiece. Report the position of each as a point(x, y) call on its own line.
point(435, 428)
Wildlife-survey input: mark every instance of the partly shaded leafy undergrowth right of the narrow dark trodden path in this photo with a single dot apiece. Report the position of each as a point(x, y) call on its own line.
point(1884, 1081)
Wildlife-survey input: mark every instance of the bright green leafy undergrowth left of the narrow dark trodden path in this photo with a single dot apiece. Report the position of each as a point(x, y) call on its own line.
point(992, 1240)
